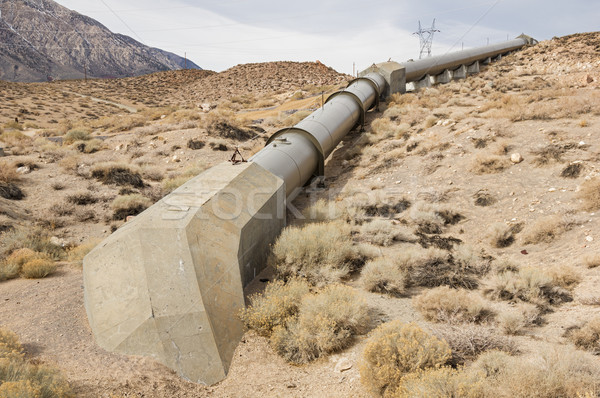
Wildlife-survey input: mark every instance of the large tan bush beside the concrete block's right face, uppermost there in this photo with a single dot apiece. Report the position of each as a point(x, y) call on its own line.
point(320, 252)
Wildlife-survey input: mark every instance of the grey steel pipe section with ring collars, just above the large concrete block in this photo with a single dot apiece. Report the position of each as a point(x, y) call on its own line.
point(298, 153)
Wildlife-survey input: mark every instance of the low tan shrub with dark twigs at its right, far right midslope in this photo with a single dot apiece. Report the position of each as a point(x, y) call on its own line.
point(529, 284)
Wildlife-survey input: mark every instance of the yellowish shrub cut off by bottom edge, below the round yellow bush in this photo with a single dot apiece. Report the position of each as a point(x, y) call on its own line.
point(441, 382)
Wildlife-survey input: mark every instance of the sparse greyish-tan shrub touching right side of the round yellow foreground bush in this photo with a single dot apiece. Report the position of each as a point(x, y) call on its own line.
point(468, 341)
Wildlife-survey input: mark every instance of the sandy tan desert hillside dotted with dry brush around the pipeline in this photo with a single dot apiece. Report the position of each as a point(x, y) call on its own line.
point(463, 220)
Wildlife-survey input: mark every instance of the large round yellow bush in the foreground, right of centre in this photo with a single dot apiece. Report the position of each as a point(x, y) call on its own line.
point(396, 349)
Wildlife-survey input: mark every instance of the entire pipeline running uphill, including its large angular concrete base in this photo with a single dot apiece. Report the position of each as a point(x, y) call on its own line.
point(170, 283)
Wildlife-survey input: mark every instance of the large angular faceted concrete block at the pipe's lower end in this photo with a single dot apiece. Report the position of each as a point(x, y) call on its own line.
point(169, 283)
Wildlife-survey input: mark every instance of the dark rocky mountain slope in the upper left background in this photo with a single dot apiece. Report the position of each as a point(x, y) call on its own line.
point(40, 40)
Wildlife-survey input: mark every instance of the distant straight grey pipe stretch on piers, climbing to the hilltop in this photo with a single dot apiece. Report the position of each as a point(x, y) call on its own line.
point(416, 70)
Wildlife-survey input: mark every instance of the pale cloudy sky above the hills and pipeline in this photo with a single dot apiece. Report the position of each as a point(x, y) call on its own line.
point(218, 34)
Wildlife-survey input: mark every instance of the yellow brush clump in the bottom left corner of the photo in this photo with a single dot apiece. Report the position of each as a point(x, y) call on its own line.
point(21, 378)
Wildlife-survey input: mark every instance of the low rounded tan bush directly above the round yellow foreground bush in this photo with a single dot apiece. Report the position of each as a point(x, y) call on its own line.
point(443, 304)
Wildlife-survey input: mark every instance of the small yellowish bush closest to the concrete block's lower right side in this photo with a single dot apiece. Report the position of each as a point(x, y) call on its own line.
point(279, 302)
